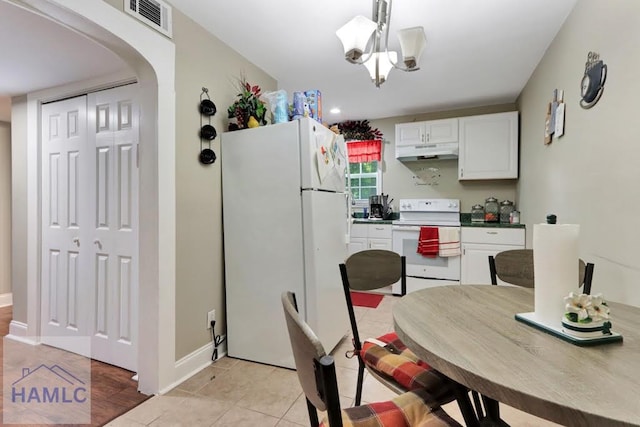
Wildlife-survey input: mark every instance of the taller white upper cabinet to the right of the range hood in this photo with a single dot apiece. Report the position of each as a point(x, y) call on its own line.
point(488, 146)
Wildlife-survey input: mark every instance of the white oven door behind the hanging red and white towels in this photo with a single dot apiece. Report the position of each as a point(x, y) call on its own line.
point(405, 242)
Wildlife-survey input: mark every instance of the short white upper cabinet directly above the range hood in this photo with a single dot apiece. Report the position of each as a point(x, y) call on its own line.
point(429, 132)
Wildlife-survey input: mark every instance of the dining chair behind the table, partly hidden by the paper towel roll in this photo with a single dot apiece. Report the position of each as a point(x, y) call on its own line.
point(516, 267)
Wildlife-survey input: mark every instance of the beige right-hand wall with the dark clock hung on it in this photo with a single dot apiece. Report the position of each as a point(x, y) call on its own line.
point(590, 176)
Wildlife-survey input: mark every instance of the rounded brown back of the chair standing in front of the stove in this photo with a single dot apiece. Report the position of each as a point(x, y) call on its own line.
point(372, 269)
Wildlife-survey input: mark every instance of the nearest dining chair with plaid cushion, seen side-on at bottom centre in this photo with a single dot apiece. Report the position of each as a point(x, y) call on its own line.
point(317, 376)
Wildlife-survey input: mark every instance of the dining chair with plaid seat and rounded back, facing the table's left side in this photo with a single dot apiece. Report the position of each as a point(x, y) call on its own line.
point(385, 357)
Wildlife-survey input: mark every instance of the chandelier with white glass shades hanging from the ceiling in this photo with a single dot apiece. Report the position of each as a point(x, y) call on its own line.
point(366, 41)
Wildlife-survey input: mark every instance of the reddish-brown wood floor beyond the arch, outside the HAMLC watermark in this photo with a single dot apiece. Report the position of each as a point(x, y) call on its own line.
point(113, 392)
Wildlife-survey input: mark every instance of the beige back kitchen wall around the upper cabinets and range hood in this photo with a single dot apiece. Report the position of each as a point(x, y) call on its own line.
point(399, 179)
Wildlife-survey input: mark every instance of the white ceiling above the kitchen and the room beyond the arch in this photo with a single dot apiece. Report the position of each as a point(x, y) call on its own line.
point(479, 52)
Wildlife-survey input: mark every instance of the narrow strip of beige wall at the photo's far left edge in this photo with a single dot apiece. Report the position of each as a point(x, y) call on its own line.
point(5, 207)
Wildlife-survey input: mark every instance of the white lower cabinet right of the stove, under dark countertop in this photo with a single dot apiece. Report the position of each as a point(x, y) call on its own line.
point(478, 243)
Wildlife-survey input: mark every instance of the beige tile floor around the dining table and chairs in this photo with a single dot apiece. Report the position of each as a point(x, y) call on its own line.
point(234, 392)
